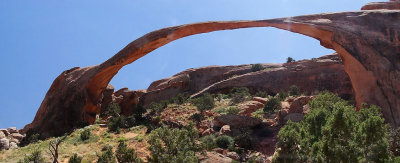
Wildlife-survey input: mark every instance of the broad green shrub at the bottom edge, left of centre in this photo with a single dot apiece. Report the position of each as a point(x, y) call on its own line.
point(173, 145)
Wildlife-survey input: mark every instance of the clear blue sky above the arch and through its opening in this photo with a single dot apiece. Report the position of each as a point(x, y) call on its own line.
point(41, 39)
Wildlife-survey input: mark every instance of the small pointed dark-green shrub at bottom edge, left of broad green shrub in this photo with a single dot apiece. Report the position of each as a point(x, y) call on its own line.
point(126, 155)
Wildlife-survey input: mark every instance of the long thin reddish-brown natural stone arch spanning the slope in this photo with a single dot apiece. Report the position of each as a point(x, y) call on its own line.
point(367, 42)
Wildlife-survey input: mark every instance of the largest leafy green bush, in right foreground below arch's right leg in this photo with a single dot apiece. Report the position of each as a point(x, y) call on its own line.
point(333, 131)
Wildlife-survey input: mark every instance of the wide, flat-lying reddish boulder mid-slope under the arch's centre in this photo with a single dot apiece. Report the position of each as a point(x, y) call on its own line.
point(236, 121)
